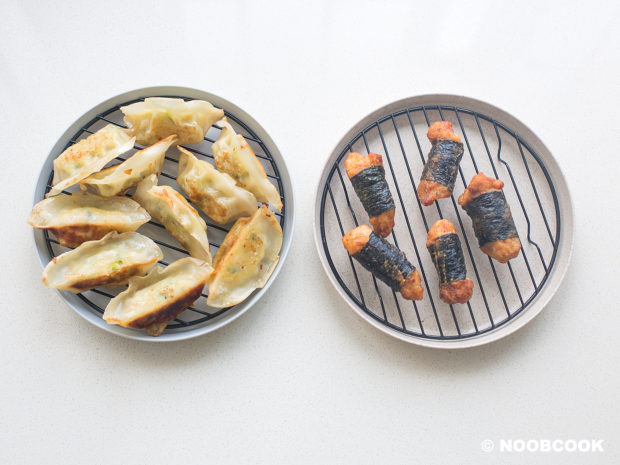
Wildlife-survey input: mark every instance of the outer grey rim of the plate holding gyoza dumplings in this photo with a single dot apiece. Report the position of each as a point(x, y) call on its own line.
point(227, 317)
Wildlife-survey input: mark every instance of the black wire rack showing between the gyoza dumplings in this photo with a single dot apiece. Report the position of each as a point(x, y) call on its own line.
point(199, 312)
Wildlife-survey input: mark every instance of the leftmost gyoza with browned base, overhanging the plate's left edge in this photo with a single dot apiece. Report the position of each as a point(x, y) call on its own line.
point(82, 217)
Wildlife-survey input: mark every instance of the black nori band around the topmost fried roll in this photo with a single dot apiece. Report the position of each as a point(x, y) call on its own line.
point(443, 162)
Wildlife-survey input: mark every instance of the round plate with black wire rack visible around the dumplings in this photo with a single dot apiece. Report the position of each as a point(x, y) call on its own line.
point(199, 318)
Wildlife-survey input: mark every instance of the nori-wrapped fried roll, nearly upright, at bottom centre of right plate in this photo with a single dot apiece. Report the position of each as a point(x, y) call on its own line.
point(445, 248)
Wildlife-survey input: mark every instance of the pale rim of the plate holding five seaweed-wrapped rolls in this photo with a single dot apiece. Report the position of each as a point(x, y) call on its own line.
point(565, 246)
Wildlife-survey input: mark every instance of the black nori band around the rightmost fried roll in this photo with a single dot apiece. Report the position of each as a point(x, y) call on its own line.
point(491, 217)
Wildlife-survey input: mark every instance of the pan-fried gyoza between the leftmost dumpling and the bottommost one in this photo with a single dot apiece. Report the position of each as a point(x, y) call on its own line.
point(110, 261)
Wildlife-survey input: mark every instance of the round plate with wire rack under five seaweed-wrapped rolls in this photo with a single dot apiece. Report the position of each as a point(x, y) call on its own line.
point(506, 296)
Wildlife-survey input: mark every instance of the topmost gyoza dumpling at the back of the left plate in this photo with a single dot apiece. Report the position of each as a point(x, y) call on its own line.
point(159, 117)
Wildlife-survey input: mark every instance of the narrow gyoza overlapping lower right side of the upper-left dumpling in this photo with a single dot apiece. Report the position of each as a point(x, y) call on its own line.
point(119, 178)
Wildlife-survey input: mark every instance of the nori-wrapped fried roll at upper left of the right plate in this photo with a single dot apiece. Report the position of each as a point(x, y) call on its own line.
point(368, 178)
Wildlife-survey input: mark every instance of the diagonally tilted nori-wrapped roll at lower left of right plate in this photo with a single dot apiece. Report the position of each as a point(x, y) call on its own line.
point(384, 261)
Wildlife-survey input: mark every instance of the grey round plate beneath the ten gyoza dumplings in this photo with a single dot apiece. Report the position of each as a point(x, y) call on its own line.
point(77, 302)
